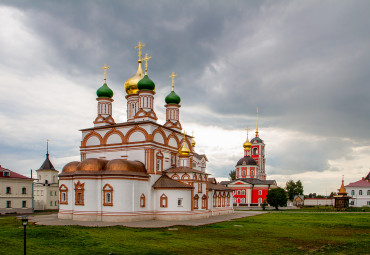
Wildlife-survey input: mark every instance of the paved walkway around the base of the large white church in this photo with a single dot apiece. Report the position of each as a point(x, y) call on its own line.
point(52, 220)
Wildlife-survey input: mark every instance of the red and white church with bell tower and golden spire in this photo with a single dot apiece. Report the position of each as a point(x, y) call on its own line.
point(250, 186)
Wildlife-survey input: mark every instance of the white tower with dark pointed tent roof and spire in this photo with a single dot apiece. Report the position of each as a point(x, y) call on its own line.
point(46, 187)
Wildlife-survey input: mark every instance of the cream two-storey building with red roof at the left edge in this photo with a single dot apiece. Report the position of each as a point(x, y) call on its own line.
point(15, 192)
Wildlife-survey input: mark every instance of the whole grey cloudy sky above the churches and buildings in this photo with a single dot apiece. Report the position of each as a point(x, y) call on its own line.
point(305, 64)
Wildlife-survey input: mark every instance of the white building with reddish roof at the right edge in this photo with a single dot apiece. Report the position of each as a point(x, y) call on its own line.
point(359, 192)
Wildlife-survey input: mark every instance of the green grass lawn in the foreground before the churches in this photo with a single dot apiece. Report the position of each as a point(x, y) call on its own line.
point(273, 233)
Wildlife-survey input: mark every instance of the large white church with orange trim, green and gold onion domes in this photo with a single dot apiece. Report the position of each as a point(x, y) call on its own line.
point(139, 169)
